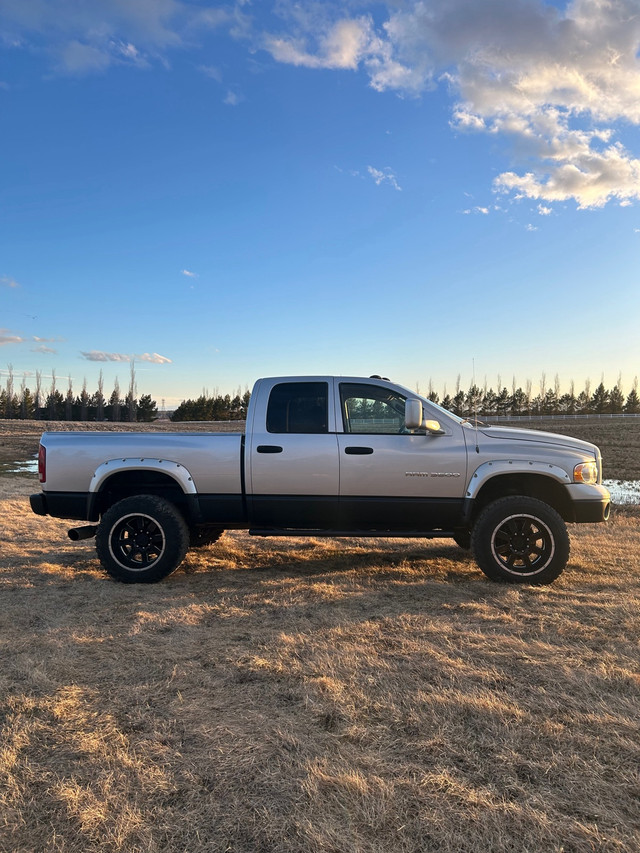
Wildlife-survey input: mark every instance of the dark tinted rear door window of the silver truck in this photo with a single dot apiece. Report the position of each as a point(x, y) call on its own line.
point(298, 407)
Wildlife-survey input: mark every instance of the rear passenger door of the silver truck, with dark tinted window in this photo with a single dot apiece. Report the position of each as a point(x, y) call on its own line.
point(292, 475)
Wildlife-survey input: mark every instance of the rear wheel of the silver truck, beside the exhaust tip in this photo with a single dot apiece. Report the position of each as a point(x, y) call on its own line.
point(141, 539)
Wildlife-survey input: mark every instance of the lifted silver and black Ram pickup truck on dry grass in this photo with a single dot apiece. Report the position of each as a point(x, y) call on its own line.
point(327, 456)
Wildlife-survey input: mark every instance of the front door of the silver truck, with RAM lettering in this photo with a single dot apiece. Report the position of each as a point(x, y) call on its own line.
point(391, 479)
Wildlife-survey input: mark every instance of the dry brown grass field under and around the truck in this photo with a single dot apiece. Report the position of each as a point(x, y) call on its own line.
point(315, 696)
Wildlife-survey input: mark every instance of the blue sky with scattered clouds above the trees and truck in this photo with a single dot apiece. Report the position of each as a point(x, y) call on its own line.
point(225, 191)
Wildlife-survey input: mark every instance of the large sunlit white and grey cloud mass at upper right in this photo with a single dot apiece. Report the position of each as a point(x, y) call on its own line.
point(555, 82)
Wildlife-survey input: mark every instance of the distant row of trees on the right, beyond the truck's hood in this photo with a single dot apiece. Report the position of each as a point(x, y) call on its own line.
point(546, 400)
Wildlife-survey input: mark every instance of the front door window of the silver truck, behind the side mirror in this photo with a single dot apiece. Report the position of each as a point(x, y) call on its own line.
point(371, 409)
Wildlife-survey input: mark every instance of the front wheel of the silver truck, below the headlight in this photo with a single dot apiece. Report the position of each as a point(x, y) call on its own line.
point(520, 540)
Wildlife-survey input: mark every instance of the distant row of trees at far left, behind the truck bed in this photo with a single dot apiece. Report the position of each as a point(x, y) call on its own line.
point(51, 403)
